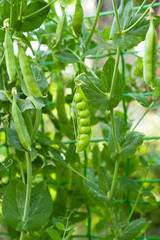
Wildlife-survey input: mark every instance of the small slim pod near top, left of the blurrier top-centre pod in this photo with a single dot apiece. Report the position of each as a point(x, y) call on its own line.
point(61, 29)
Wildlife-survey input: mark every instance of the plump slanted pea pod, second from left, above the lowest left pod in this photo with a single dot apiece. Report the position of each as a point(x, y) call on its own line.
point(27, 73)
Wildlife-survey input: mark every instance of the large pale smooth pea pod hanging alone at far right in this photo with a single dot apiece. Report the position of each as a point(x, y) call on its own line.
point(150, 55)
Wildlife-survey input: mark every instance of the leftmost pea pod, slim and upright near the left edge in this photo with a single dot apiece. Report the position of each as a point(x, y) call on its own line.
point(9, 55)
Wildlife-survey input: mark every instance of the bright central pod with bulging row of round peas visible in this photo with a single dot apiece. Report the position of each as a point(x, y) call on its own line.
point(84, 129)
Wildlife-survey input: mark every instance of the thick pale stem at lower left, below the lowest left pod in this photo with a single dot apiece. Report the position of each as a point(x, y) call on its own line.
point(28, 191)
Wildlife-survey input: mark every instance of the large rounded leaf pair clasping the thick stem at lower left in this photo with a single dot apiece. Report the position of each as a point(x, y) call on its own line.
point(14, 201)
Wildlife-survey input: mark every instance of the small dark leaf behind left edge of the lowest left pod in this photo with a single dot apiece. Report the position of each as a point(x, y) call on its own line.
point(14, 140)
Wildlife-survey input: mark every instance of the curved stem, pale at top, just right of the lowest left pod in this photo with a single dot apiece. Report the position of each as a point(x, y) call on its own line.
point(37, 118)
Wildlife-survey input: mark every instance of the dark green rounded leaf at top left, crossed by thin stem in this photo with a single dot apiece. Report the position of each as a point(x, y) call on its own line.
point(34, 21)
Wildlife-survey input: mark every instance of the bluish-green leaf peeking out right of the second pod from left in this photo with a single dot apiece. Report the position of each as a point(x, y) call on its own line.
point(40, 79)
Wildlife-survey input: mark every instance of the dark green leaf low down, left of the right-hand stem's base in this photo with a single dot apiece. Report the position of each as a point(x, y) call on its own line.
point(97, 195)
